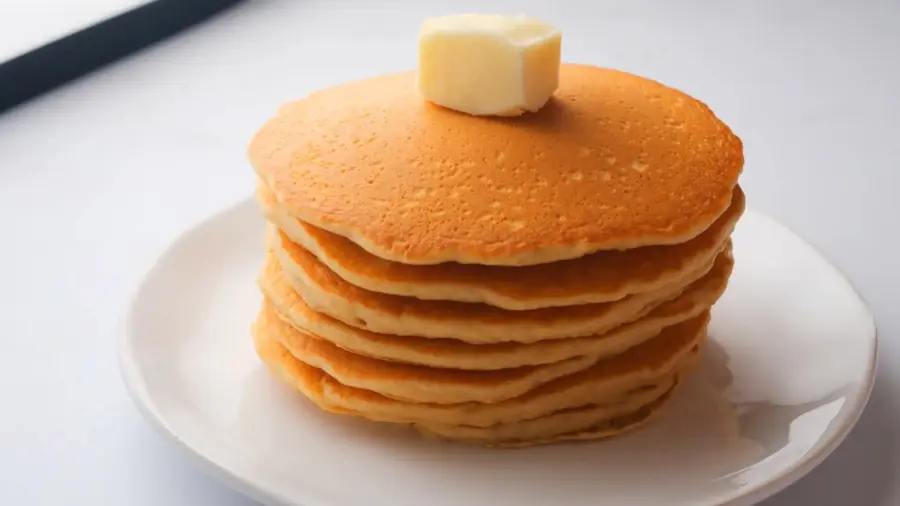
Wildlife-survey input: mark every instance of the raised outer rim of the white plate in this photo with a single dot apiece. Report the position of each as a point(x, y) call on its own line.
point(135, 386)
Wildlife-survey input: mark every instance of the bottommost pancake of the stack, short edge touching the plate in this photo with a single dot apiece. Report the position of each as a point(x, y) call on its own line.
point(596, 421)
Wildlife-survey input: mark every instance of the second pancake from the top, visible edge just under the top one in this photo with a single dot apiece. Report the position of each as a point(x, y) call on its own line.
point(600, 277)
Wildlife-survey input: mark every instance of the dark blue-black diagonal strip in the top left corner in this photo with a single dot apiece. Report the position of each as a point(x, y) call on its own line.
point(70, 57)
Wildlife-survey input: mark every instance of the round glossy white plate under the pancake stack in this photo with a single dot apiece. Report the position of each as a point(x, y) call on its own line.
point(790, 368)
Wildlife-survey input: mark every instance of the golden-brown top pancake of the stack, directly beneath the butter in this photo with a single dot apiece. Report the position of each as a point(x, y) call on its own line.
point(613, 161)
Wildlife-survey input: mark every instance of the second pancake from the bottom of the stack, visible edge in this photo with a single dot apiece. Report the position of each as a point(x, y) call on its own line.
point(606, 380)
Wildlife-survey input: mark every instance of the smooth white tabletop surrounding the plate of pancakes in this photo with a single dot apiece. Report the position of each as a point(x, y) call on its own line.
point(97, 178)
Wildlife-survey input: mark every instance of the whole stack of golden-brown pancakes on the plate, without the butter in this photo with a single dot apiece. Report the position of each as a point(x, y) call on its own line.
point(499, 281)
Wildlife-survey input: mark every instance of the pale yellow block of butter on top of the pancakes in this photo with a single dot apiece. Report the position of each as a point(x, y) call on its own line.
point(488, 65)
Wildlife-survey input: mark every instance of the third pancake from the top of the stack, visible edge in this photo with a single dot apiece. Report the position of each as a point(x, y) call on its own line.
point(328, 293)
